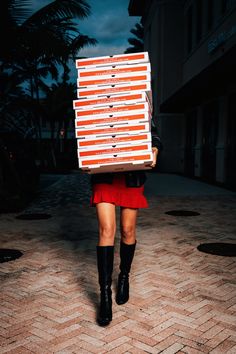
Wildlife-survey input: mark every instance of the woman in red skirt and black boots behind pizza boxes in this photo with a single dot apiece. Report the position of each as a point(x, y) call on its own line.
point(108, 191)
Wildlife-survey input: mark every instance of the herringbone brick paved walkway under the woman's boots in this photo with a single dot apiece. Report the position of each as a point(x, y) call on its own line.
point(181, 300)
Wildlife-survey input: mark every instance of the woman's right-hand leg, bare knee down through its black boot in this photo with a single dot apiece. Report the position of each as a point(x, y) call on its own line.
point(128, 220)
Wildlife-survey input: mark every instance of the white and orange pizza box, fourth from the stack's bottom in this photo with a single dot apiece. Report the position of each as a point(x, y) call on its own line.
point(83, 133)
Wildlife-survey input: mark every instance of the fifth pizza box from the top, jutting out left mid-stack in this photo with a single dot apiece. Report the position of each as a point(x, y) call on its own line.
point(110, 100)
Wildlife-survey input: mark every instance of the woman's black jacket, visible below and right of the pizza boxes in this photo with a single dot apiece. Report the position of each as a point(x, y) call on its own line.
point(133, 178)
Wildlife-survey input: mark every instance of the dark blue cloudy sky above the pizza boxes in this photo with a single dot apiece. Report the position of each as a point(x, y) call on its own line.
point(109, 23)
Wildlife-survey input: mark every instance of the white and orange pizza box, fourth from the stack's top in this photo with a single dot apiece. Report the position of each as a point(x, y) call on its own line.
point(103, 91)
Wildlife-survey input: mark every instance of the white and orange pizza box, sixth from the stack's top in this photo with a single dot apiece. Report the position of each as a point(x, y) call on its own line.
point(116, 108)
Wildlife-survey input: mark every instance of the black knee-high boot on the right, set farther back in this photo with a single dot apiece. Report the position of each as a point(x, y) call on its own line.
point(126, 258)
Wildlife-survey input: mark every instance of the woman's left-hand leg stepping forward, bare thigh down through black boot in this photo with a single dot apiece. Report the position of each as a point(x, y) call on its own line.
point(105, 258)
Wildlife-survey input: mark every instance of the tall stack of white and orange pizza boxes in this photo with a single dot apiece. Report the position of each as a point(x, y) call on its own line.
point(113, 113)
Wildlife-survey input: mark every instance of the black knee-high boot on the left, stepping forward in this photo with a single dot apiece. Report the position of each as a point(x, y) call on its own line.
point(105, 258)
